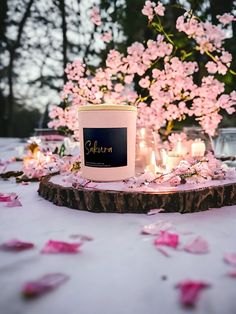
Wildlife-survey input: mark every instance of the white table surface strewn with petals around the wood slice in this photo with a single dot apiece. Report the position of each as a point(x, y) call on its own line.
point(120, 272)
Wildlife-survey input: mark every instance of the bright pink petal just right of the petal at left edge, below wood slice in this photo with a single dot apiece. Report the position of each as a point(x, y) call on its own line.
point(55, 247)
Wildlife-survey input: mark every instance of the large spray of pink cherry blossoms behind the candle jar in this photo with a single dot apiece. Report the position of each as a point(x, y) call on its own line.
point(169, 91)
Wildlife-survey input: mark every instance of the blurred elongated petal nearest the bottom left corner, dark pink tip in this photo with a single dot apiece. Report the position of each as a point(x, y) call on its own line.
point(43, 285)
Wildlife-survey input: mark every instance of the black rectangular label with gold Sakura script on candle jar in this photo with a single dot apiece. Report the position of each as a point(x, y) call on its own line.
point(105, 147)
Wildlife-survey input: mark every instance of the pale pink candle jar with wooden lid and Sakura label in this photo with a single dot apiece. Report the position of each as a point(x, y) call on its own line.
point(107, 140)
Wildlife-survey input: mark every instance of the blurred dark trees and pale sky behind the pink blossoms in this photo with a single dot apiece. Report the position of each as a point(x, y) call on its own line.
point(38, 38)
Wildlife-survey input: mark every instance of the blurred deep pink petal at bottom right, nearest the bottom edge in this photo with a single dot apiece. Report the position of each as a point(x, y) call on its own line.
point(189, 291)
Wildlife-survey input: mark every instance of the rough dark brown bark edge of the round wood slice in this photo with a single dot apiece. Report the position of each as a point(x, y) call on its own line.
point(182, 201)
